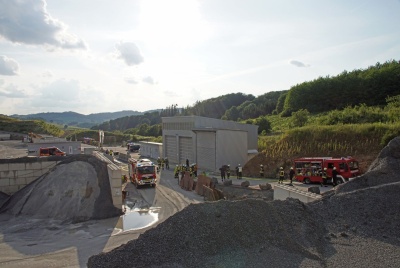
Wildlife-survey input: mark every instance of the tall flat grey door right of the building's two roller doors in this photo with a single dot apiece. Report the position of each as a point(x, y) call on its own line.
point(206, 150)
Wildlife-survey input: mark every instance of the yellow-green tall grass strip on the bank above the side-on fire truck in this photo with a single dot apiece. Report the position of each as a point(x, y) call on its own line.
point(335, 141)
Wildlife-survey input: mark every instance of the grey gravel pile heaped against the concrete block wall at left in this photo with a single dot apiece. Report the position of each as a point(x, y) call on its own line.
point(77, 189)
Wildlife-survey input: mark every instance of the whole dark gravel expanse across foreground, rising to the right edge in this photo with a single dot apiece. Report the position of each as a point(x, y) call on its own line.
point(355, 225)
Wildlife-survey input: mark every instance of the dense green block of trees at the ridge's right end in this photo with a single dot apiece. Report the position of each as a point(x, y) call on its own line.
point(370, 86)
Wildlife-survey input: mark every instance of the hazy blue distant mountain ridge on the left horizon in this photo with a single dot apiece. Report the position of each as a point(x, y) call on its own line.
point(76, 119)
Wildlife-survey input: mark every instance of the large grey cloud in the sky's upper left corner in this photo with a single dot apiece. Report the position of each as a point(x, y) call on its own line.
point(28, 22)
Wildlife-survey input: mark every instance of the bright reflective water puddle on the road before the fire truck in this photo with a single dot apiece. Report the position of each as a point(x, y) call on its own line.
point(139, 218)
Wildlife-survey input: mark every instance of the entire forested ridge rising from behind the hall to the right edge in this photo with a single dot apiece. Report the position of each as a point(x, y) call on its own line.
point(369, 86)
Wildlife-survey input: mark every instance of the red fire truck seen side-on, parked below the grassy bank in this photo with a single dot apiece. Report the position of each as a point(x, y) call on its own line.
point(309, 169)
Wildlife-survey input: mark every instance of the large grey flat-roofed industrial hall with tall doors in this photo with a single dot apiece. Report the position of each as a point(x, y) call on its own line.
point(211, 143)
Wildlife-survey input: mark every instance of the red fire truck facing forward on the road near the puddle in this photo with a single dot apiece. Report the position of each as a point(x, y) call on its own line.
point(142, 172)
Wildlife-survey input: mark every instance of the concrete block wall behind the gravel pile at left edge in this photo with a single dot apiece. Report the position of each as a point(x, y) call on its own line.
point(15, 174)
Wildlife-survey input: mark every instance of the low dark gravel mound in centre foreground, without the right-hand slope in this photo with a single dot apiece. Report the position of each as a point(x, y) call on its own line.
point(223, 229)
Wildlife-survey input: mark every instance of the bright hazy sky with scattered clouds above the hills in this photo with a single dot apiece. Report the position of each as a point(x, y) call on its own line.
point(92, 56)
